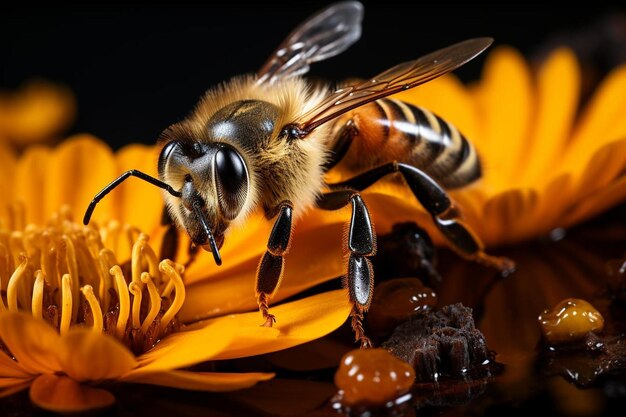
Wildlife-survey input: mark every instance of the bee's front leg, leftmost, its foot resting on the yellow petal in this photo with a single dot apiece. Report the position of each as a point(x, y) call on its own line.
point(270, 269)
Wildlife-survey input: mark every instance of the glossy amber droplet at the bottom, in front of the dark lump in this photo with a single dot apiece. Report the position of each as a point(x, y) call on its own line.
point(372, 377)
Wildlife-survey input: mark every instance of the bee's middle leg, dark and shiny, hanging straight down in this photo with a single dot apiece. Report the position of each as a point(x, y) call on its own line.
point(361, 243)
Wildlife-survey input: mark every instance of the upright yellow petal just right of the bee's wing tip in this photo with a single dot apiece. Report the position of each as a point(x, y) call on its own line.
point(505, 102)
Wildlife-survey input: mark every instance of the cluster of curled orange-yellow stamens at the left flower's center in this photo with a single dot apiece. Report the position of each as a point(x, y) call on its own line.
point(65, 275)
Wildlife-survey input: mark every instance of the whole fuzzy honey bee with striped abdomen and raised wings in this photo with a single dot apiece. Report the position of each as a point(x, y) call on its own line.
point(267, 140)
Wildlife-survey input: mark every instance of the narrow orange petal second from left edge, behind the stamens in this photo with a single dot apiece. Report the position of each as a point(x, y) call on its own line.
point(30, 174)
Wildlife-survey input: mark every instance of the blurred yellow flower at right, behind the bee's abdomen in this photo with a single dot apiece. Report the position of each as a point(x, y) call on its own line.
point(547, 162)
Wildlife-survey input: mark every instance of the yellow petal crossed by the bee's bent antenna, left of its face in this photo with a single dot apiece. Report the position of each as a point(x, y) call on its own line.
point(141, 203)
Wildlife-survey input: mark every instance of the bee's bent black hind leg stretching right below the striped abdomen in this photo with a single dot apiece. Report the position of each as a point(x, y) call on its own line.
point(436, 201)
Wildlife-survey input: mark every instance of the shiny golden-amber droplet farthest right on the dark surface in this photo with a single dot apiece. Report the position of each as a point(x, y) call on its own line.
point(570, 320)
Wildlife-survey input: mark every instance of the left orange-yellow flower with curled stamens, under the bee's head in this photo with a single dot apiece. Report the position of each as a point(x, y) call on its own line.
point(84, 307)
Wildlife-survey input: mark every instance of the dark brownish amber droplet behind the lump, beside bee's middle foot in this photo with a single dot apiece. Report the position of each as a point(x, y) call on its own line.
point(395, 301)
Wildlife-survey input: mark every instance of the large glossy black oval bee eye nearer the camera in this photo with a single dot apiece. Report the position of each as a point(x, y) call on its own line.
point(231, 180)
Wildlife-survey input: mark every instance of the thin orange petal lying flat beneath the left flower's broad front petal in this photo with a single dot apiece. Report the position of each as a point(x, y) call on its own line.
point(203, 381)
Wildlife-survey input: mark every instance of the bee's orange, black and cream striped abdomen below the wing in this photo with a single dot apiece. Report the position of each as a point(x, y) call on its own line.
point(389, 130)
